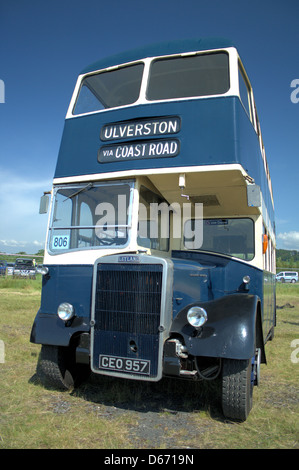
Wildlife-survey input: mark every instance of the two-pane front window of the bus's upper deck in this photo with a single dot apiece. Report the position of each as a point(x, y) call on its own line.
point(169, 78)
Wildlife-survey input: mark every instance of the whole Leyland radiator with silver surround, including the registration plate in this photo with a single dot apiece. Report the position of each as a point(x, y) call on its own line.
point(131, 316)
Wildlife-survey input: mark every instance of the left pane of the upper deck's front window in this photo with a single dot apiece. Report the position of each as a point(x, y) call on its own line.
point(109, 89)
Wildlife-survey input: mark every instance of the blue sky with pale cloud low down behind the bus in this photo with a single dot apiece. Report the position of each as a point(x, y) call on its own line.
point(45, 44)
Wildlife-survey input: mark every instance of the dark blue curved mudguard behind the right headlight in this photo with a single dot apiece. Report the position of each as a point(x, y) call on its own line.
point(230, 331)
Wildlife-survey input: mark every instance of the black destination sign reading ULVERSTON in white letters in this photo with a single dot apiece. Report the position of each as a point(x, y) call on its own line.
point(141, 128)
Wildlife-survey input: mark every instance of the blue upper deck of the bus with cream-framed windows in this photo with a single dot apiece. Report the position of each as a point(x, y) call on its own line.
point(175, 105)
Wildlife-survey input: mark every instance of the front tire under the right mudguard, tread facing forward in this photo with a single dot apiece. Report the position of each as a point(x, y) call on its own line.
point(237, 388)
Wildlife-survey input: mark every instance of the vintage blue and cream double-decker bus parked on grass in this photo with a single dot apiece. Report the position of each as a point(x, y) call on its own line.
point(160, 250)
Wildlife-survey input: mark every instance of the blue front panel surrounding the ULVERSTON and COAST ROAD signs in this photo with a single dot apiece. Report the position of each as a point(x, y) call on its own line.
point(207, 137)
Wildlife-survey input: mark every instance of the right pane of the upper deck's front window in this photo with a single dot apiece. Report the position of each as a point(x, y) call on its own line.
point(183, 77)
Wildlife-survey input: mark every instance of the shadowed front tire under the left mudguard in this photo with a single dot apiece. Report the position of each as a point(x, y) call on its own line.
point(55, 367)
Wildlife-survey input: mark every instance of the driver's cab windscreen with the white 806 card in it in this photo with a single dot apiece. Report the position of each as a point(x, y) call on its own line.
point(90, 215)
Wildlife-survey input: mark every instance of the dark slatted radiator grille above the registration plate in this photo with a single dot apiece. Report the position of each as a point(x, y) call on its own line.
point(128, 298)
